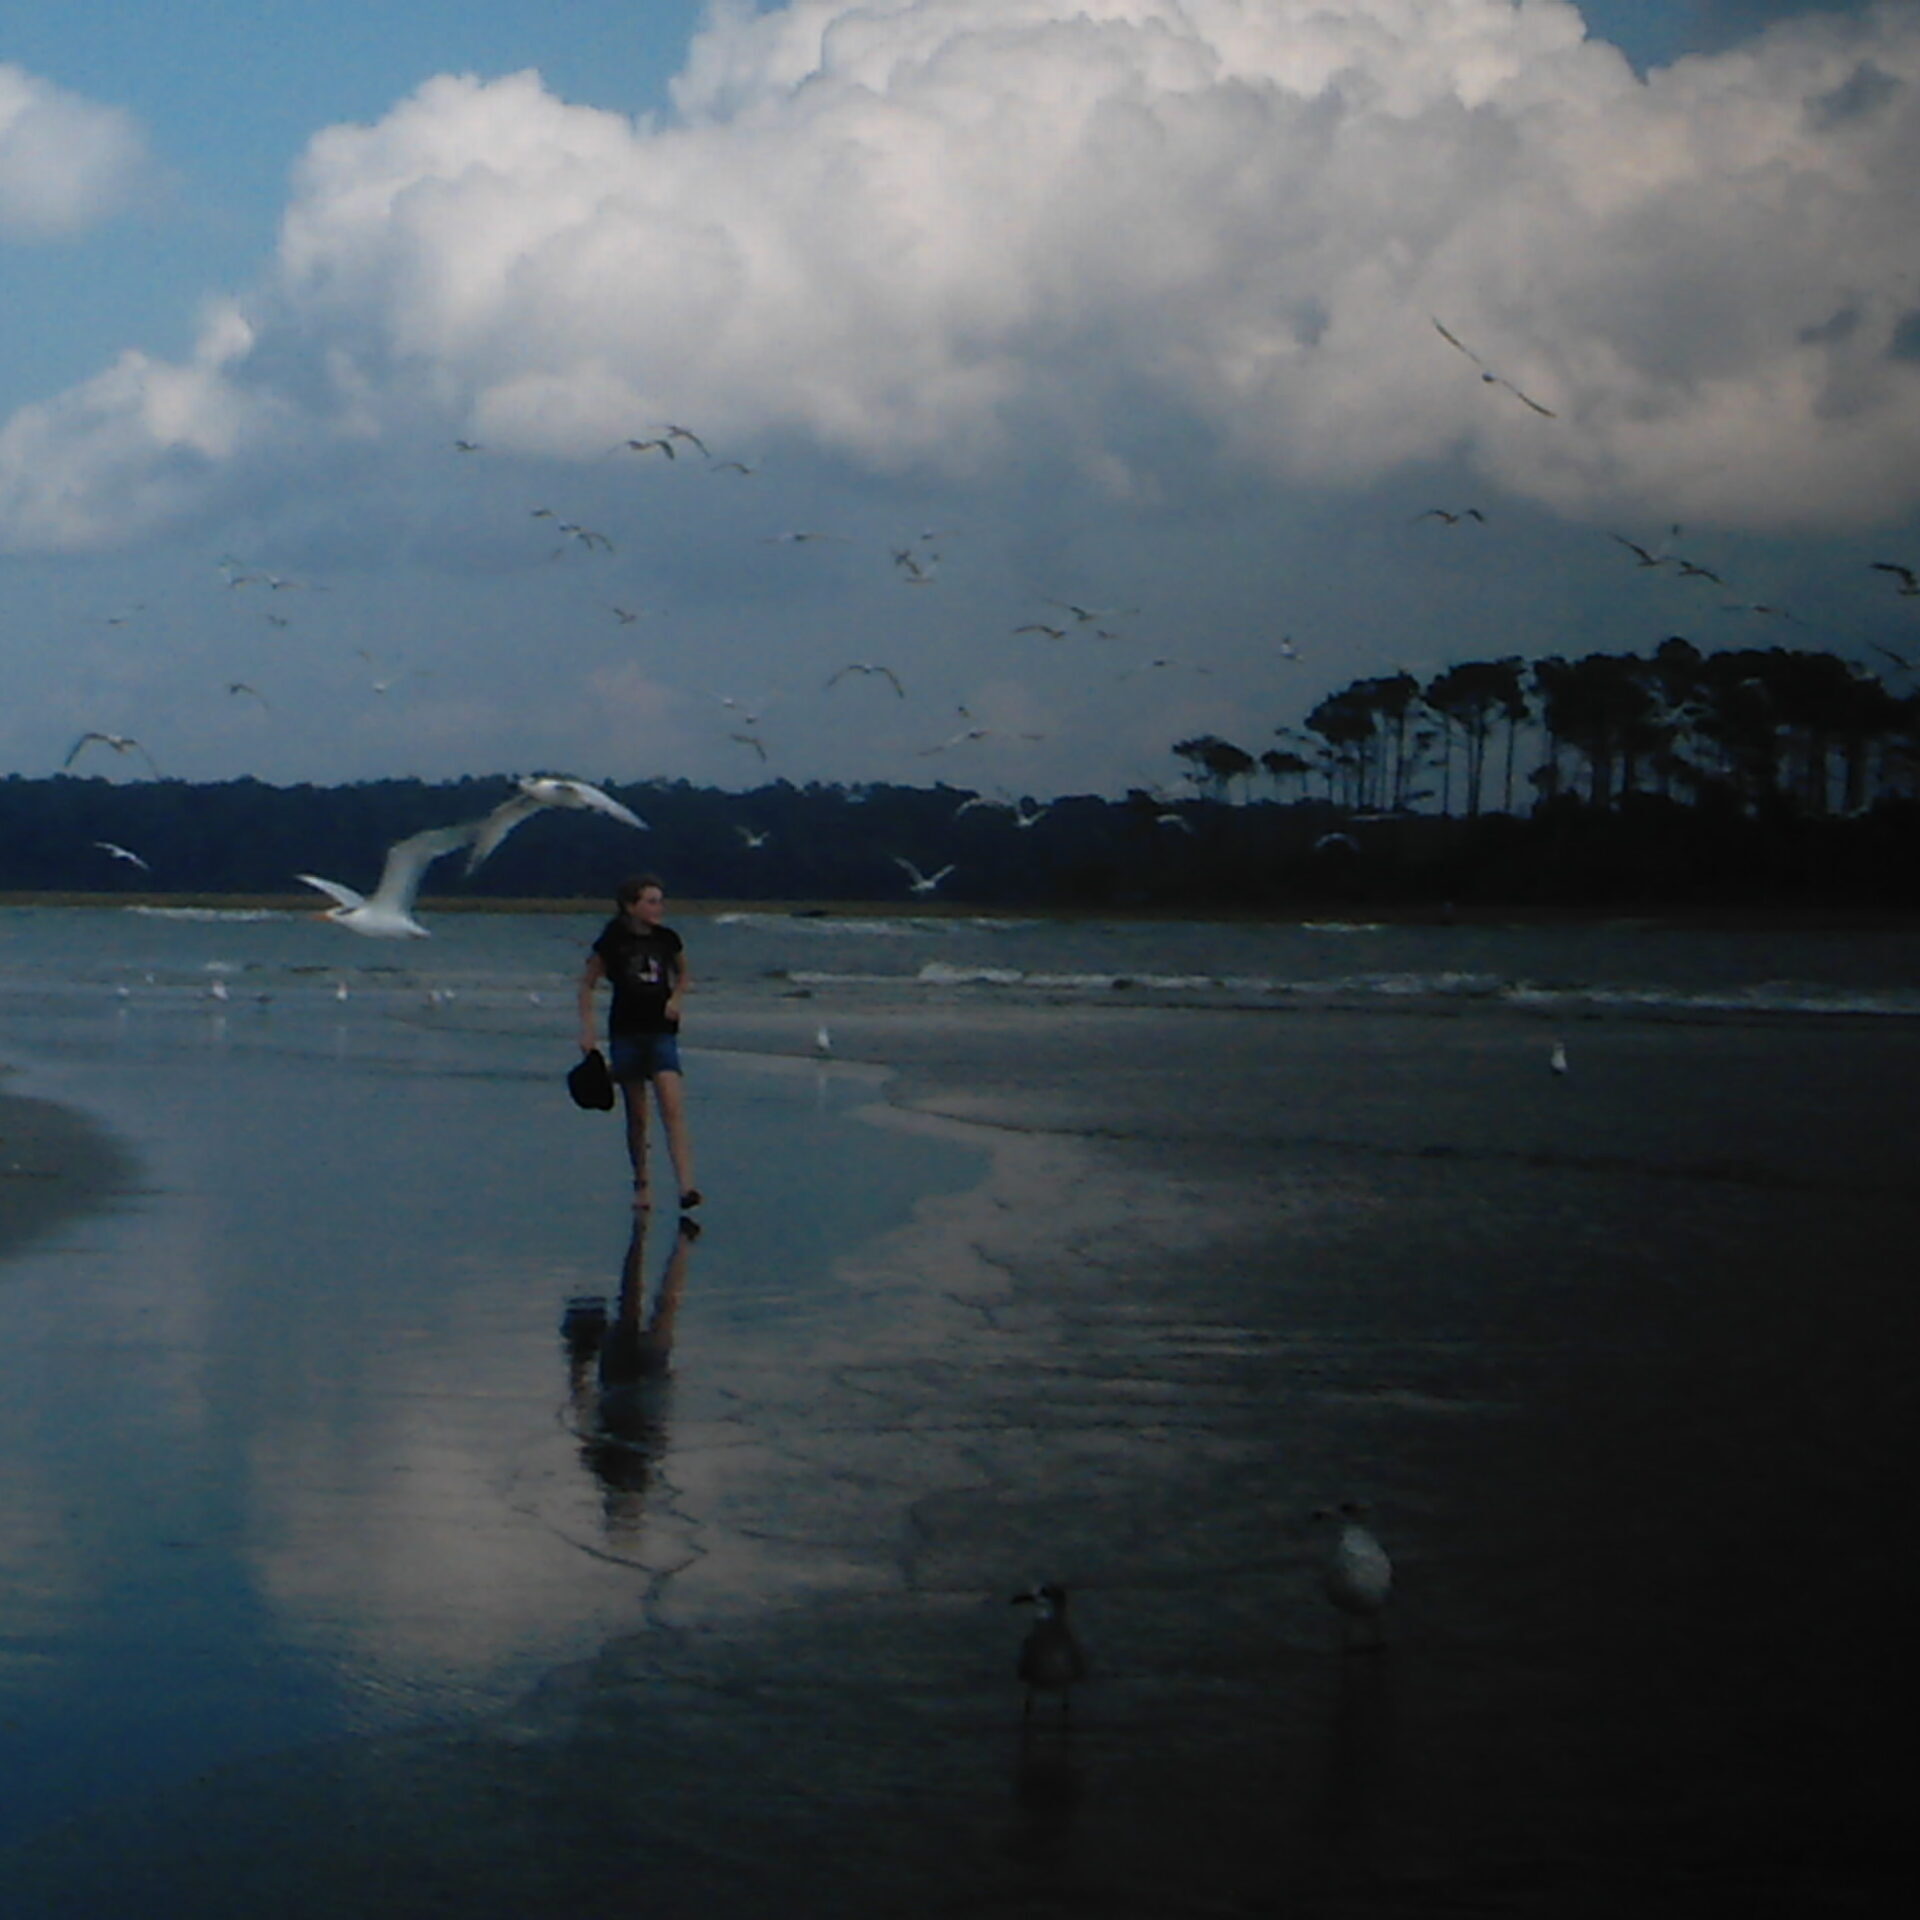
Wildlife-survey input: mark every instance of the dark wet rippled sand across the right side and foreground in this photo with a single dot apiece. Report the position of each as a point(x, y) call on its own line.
point(1614, 1358)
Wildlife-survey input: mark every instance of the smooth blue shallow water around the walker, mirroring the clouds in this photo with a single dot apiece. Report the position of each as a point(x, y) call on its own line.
point(291, 1443)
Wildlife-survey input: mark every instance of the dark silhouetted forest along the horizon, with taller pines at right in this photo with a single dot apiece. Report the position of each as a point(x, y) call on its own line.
point(1750, 779)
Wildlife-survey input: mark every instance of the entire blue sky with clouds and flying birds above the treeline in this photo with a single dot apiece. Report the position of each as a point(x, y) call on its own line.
point(617, 391)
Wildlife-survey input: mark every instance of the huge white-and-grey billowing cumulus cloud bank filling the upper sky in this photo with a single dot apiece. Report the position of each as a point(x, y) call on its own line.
point(924, 235)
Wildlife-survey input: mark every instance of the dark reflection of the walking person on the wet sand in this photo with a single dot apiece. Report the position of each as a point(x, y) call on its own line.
point(621, 1374)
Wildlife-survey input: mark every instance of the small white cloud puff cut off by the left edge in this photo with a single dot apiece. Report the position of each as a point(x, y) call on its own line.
point(66, 162)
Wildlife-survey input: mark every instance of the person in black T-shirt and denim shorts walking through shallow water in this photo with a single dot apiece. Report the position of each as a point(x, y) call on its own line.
point(646, 963)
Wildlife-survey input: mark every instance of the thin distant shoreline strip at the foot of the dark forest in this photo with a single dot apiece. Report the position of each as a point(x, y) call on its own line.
point(1723, 919)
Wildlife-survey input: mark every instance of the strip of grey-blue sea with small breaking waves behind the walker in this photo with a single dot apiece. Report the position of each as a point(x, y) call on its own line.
point(1629, 965)
